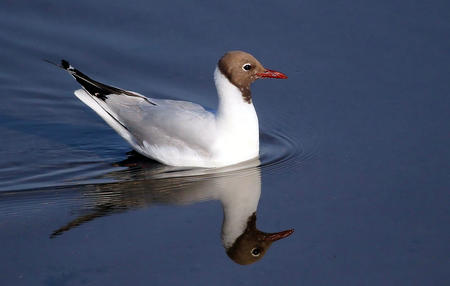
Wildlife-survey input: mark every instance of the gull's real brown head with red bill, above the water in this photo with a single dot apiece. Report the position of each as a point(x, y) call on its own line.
point(242, 69)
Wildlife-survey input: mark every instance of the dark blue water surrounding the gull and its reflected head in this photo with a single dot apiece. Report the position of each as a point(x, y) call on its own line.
point(354, 144)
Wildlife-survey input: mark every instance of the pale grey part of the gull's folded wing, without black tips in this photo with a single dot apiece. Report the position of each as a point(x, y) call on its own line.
point(168, 122)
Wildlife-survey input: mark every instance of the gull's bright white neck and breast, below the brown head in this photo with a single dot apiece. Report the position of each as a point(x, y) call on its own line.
point(237, 123)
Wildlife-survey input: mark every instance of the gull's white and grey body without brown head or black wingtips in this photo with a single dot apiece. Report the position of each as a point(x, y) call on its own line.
point(182, 133)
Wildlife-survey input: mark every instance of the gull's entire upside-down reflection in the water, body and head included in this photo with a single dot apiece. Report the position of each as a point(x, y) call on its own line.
point(145, 183)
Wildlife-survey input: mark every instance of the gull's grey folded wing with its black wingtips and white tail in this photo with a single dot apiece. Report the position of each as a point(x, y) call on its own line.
point(148, 123)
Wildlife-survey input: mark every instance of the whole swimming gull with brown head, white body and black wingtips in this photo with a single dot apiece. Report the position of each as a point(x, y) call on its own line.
point(181, 133)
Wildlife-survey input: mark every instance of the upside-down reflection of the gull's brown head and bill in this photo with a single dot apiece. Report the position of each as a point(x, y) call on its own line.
point(251, 246)
